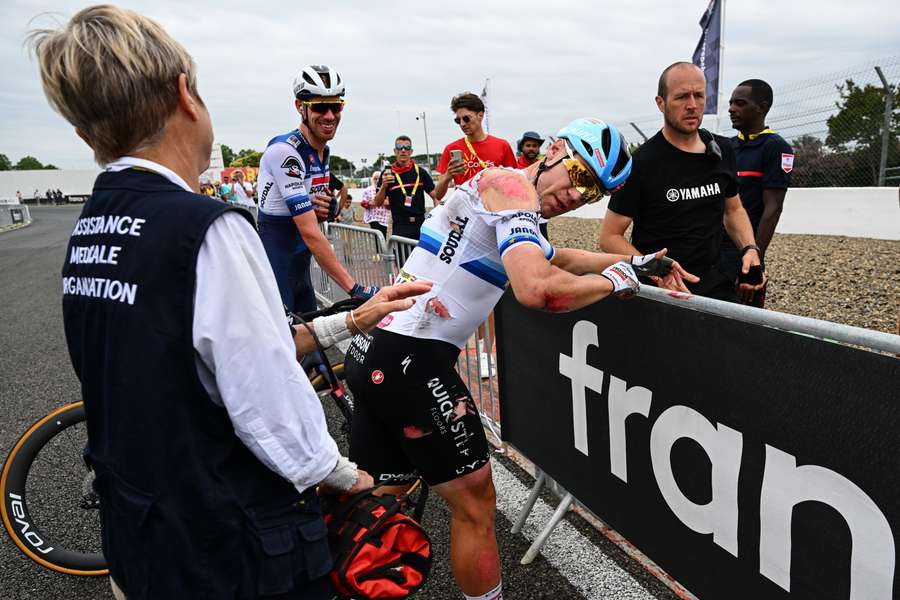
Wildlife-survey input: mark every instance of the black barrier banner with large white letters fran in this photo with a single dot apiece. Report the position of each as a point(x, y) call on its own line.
point(747, 462)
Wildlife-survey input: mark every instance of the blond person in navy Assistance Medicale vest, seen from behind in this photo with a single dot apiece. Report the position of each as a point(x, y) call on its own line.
point(205, 435)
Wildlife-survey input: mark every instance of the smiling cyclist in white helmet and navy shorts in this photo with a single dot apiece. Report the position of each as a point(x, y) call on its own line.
point(293, 176)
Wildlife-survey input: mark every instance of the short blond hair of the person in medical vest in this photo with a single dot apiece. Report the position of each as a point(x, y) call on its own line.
point(113, 74)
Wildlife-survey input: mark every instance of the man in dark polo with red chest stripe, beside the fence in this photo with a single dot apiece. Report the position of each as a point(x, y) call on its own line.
point(764, 165)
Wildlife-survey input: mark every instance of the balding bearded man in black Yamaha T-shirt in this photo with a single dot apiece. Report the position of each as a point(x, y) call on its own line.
point(682, 189)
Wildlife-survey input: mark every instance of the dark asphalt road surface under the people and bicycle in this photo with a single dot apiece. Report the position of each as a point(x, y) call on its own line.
point(36, 377)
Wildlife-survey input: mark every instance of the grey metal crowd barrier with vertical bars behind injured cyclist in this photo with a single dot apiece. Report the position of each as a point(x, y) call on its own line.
point(372, 261)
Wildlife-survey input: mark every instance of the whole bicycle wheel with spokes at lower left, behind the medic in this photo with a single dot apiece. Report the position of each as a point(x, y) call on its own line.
point(49, 508)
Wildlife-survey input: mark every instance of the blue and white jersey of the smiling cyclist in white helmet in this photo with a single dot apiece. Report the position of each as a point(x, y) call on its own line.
point(290, 174)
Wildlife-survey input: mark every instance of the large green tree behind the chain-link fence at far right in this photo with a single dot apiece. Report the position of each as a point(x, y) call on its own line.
point(856, 129)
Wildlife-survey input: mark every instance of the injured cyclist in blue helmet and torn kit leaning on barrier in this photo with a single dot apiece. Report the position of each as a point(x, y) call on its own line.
point(413, 410)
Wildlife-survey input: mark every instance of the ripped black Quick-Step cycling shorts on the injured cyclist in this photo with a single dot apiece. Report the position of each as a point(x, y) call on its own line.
point(412, 411)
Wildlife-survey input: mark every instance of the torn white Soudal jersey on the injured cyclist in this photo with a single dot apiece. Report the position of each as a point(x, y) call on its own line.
point(460, 250)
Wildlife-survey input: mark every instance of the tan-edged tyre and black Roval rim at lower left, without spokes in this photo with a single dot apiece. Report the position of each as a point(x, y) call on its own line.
point(17, 518)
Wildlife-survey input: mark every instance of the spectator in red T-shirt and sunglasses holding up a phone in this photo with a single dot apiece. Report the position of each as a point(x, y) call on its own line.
point(479, 150)
